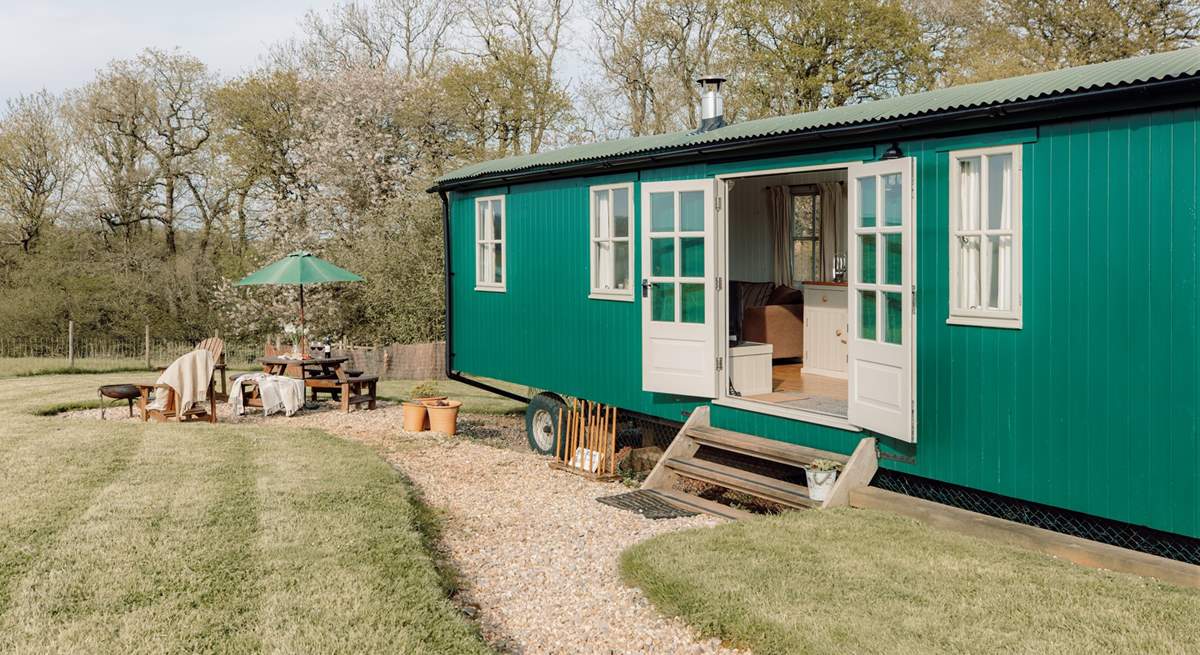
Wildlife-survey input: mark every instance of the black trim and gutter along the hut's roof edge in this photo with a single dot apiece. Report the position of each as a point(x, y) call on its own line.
point(1064, 106)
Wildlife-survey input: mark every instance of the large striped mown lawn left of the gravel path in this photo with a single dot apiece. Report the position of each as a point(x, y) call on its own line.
point(140, 538)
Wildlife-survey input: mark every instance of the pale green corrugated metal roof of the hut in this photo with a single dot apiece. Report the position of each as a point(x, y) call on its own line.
point(1138, 70)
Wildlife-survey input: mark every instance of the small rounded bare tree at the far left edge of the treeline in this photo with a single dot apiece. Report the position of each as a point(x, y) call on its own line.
point(35, 170)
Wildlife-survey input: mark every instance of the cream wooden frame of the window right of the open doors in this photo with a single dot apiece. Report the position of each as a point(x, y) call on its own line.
point(983, 317)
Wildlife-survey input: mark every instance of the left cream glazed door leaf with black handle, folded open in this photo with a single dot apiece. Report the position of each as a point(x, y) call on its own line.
point(679, 296)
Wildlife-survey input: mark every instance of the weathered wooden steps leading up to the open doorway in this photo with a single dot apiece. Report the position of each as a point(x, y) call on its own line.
point(682, 461)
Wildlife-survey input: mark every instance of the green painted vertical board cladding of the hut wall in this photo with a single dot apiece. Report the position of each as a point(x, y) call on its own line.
point(1093, 406)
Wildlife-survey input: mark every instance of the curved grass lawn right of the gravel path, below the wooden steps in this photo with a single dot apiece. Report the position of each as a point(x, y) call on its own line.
point(857, 581)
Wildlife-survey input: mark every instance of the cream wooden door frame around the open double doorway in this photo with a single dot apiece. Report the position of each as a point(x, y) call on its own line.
point(723, 319)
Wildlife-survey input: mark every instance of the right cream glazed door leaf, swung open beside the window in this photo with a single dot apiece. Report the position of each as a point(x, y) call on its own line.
point(883, 334)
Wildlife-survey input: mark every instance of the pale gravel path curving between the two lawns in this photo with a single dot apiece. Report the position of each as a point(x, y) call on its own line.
point(537, 554)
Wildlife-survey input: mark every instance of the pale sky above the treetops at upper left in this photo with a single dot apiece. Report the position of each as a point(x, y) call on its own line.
point(58, 45)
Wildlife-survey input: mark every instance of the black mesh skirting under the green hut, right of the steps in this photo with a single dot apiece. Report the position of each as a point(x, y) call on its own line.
point(1069, 522)
